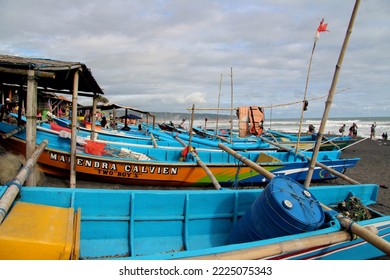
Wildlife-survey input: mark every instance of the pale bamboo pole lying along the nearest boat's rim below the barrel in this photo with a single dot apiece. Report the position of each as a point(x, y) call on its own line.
point(284, 247)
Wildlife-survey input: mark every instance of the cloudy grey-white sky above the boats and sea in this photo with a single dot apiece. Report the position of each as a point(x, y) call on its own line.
point(166, 55)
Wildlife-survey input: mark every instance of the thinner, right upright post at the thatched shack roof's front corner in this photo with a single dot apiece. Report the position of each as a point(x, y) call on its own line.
point(72, 181)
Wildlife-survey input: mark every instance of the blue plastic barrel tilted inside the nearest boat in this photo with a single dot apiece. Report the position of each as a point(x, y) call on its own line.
point(285, 207)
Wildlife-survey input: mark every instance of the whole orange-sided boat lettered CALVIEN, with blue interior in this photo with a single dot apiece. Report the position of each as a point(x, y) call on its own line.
point(114, 162)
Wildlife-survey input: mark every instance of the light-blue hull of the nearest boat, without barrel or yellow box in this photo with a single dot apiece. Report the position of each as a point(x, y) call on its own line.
point(136, 224)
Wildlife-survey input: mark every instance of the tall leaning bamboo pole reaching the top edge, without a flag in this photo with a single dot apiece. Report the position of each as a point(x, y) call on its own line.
point(329, 101)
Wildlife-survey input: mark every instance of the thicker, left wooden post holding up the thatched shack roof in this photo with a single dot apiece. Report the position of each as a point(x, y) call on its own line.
point(31, 123)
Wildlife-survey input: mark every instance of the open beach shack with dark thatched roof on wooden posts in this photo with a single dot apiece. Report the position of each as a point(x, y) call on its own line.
point(21, 78)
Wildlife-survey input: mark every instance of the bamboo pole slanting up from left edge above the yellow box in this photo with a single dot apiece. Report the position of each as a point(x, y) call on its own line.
point(13, 189)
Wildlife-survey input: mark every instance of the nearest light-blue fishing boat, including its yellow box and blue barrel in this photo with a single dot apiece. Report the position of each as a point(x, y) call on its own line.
point(85, 224)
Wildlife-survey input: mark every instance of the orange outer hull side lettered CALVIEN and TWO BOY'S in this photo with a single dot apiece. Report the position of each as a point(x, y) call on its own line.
point(148, 173)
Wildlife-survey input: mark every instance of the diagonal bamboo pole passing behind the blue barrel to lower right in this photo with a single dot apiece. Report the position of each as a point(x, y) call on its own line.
point(345, 222)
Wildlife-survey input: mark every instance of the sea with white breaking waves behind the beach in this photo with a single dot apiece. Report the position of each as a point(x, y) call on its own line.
point(332, 125)
